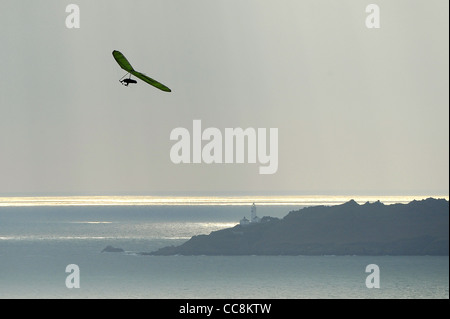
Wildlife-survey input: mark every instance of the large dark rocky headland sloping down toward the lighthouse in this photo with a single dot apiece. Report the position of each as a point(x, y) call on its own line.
point(416, 228)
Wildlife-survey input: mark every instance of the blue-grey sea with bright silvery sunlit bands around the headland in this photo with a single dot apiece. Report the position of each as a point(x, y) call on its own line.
point(51, 247)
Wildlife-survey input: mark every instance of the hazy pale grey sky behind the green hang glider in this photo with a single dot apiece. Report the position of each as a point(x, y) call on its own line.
point(358, 110)
